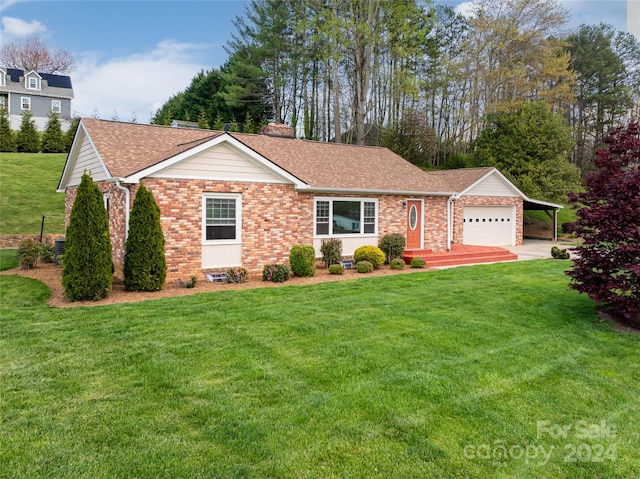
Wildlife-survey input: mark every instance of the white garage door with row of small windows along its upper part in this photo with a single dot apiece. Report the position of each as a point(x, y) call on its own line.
point(489, 225)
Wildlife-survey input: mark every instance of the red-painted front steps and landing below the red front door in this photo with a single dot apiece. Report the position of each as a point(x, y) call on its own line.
point(459, 255)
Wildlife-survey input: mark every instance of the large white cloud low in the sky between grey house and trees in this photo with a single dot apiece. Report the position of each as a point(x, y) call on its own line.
point(139, 83)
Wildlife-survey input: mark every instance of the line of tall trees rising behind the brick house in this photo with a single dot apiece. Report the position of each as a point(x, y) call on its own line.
point(391, 71)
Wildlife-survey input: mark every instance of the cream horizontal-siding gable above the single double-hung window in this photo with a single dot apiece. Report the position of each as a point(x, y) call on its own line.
point(220, 162)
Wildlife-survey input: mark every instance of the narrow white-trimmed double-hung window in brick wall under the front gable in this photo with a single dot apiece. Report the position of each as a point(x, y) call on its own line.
point(222, 217)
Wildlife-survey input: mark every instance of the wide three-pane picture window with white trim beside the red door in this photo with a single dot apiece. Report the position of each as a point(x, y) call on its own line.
point(345, 216)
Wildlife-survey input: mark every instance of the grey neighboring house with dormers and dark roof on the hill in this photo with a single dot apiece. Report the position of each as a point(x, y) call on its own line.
point(36, 92)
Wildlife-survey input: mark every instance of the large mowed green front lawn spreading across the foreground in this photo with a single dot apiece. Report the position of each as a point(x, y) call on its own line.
point(408, 376)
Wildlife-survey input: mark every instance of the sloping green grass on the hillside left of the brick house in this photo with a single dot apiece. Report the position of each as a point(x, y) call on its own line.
point(28, 183)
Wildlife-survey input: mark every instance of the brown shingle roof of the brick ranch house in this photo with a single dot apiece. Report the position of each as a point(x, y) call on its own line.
point(128, 148)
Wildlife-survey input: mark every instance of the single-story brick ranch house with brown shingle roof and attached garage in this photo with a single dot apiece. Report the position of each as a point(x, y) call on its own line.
point(233, 199)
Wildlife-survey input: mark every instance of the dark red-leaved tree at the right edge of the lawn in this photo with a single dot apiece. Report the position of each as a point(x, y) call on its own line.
point(608, 265)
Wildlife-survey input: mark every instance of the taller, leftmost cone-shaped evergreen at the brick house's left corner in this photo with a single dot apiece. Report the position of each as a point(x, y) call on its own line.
point(88, 267)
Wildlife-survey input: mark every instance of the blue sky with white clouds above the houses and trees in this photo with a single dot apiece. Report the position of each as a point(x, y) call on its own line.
point(132, 55)
